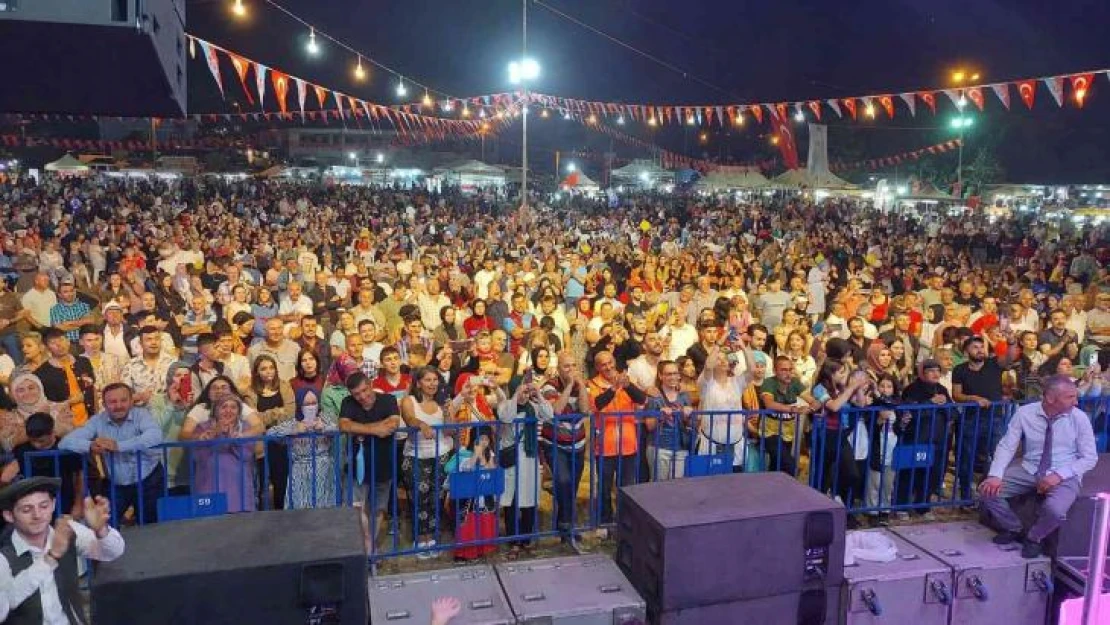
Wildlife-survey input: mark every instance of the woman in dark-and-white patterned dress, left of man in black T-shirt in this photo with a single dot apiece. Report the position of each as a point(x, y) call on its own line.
point(312, 467)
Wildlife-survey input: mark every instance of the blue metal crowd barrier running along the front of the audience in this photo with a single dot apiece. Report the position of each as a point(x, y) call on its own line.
point(467, 488)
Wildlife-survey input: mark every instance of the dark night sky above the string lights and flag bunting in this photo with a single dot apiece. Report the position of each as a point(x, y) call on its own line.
point(734, 53)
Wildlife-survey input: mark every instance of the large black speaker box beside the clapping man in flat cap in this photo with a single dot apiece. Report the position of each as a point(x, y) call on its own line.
point(280, 568)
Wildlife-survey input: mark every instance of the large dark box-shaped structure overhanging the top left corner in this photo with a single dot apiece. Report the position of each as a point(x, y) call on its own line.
point(95, 57)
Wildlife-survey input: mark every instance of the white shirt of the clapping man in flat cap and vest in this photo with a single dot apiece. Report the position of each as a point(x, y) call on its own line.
point(41, 576)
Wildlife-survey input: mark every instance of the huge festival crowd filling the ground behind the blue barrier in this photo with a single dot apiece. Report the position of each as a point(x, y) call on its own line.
point(446, 334)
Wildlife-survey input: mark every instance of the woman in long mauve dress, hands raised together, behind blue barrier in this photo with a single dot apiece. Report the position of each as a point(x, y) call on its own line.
point(221, 465)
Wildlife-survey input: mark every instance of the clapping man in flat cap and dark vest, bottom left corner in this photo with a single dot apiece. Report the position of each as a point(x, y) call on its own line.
point(41, 560)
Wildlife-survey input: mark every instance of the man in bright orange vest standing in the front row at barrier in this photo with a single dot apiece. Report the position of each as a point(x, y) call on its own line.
point(614, 400)
